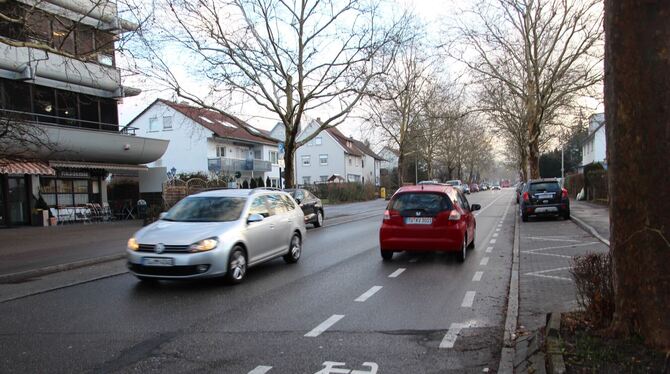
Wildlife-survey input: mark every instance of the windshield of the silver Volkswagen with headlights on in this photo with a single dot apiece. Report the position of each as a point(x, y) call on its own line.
point(206, 209)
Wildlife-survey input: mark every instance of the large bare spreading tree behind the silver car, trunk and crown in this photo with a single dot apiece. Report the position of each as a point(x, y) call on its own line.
point(289, 58)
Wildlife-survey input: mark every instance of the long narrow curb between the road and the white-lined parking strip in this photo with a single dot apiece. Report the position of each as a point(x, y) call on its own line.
point(507, 353)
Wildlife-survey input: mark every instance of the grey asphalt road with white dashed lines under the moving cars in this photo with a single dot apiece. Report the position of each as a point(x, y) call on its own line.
point(340, 304)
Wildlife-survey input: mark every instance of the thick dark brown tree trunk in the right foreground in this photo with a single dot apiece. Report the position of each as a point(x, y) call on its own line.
point(637, 102)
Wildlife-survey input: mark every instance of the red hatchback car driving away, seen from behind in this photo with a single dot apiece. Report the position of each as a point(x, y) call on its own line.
point(428, 218)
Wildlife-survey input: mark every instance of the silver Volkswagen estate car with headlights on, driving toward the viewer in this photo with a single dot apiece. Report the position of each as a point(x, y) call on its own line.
point(218, 233)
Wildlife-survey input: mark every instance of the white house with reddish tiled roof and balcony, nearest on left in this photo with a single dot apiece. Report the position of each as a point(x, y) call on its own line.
point(209, 142)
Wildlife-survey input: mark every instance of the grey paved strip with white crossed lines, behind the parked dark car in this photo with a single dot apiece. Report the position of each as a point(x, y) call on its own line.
point(546, 249)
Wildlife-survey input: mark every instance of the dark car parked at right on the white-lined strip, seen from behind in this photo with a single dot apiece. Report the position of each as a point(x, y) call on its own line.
point(544, 197)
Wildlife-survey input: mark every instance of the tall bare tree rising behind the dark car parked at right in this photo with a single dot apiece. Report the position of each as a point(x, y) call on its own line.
point(545, 53)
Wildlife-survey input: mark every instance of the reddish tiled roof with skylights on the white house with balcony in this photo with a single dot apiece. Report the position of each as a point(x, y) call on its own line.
point(220, 123)
